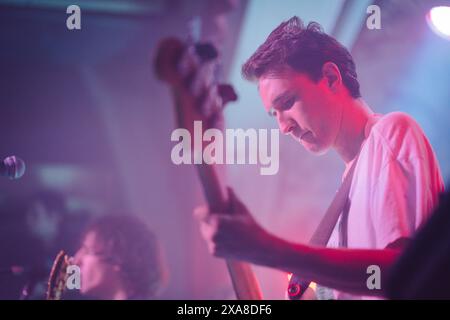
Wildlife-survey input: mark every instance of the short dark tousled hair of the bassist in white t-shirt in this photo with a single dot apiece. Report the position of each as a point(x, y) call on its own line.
point(303, 50)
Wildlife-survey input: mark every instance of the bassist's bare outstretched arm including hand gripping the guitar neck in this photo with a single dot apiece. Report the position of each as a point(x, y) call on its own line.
point(238, 236)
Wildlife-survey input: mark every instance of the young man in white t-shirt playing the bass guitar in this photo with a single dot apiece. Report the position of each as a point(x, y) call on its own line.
point(308, 82)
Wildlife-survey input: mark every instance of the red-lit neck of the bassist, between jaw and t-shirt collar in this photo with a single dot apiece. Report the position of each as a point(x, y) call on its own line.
point(351, 135)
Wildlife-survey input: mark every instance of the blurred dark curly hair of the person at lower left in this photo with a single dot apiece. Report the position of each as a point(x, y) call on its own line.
point(127, 241)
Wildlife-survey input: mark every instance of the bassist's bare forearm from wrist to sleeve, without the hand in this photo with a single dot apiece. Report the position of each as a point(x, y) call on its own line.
point(342, 269)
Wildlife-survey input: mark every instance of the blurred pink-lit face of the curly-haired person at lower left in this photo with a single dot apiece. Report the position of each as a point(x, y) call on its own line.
point(97, 272)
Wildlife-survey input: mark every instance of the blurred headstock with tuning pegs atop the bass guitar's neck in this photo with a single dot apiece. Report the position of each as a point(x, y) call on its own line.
point(192, 71)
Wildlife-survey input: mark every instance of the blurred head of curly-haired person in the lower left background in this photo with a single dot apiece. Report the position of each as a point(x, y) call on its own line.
point(120, 259)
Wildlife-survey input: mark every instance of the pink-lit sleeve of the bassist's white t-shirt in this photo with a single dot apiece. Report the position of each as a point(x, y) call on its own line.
point(408, 183)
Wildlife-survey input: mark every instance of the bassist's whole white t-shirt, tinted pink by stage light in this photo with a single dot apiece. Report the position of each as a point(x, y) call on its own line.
point(395, 187)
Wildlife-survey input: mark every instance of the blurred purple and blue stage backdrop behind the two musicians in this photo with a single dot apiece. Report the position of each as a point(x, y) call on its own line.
point(85, 111)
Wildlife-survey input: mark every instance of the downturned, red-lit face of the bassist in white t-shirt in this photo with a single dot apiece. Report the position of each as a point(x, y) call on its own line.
point(310, 112)
